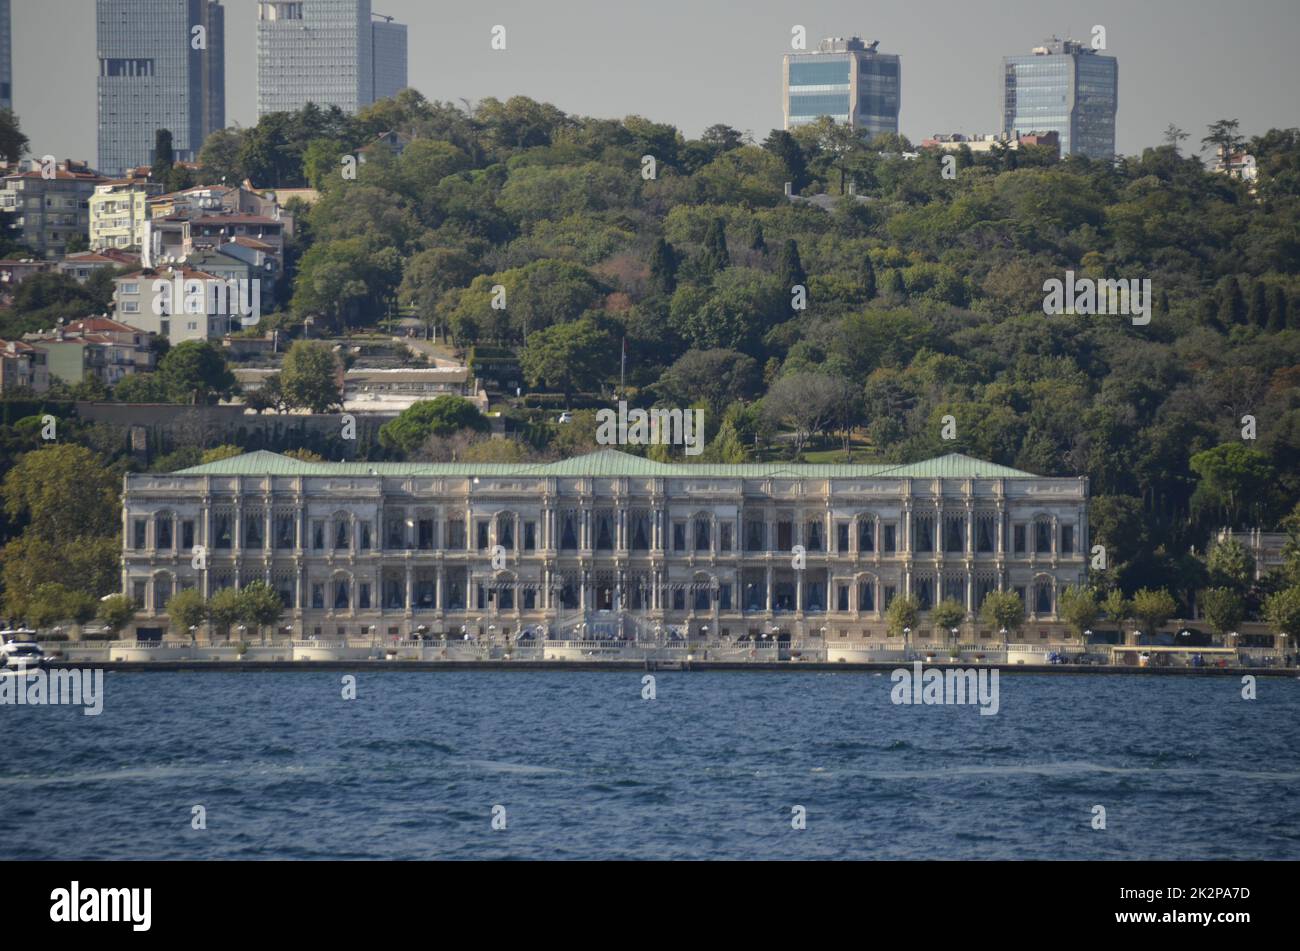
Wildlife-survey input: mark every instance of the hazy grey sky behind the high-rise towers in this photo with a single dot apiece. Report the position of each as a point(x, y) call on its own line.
point(703, 62)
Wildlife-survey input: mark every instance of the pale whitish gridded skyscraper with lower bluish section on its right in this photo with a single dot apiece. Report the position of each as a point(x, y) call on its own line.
point(324, 53)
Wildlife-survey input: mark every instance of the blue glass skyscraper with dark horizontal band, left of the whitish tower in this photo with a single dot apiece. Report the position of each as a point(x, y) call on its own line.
point(162, 66)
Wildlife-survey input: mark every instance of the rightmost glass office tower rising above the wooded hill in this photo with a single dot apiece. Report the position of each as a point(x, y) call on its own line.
point(1064, 88)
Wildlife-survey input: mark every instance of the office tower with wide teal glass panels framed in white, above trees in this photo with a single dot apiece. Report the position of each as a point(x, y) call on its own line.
point(846, 80)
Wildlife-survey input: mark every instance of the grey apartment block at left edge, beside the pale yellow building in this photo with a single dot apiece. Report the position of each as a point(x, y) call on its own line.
point(50, 205)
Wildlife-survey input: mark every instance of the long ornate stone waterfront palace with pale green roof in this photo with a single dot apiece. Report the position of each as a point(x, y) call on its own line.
point(605, 545)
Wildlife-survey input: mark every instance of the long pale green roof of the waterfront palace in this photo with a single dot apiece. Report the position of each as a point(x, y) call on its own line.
point(612, 463)
